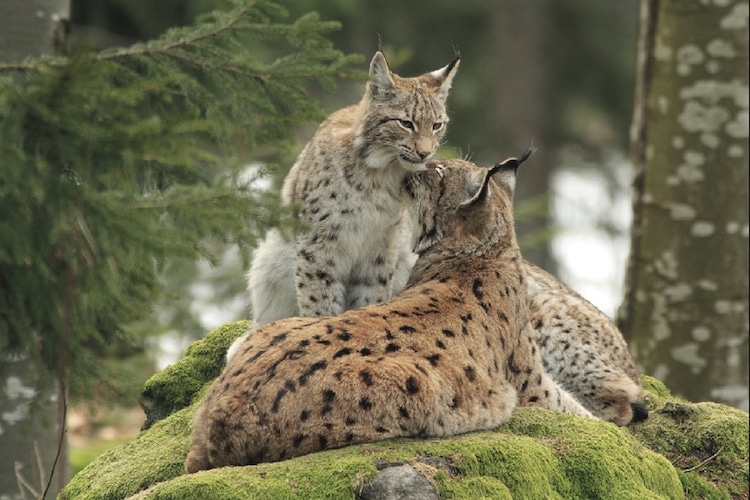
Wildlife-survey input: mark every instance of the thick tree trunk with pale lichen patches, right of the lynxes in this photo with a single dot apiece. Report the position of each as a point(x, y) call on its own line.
point(686, 305)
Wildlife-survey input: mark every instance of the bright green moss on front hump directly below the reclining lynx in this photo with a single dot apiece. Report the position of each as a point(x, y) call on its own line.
point(569, 458)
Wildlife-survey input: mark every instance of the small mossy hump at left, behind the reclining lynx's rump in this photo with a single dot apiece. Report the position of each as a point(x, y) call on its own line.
point(175, 387)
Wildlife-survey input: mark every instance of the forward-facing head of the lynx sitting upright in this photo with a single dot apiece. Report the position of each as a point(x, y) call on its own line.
point(404, 119)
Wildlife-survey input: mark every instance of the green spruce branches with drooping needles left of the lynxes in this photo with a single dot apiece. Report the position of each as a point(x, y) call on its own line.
point(115, 162)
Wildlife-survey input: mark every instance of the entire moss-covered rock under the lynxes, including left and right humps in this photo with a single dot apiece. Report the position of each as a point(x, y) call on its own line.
point(682, 450)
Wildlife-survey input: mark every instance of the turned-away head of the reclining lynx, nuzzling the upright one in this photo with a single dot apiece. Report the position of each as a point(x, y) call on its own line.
point(465, 208)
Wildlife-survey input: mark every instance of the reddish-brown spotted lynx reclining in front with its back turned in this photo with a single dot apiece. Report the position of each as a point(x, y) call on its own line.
point(454, 352)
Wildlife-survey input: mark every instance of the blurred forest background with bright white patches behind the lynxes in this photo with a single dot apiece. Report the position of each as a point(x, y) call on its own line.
point(558, 75)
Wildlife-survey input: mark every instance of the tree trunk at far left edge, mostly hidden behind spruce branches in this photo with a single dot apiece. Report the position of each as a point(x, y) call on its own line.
point(30, 442)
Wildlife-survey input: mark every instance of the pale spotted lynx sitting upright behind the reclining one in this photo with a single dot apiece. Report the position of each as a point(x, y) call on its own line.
point(348, 182)
